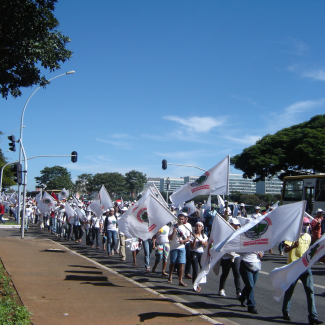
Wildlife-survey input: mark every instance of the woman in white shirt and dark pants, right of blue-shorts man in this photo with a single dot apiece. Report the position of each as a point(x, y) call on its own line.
point(197, 245)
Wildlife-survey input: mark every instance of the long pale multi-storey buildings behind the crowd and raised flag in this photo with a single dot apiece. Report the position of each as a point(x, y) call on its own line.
point(236, 184)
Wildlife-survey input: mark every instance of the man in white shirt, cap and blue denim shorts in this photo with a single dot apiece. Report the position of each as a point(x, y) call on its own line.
point(177, 239)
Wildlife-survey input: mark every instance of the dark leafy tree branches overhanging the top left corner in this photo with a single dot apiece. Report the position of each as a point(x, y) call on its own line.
point(29, 39)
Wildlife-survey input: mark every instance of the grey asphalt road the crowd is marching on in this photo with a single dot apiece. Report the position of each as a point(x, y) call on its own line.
point(208, 301)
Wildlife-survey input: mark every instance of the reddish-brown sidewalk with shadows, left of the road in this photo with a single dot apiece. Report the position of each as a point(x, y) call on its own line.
point(59, 286)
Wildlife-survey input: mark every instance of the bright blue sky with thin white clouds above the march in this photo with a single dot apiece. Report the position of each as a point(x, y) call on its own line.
point(187, 81)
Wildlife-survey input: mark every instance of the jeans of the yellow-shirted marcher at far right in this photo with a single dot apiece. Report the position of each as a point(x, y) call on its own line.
point(307, 280)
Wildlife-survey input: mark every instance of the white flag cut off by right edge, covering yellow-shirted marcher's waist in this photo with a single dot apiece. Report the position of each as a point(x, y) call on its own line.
point(284, 276)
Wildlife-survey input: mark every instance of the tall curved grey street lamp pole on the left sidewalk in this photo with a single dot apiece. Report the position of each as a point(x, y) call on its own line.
point(22, 150)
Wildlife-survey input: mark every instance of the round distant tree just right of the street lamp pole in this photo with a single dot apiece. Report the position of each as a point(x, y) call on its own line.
point(55, 178)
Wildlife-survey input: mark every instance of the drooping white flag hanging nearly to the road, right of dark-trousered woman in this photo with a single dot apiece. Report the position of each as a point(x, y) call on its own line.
point(221, 229)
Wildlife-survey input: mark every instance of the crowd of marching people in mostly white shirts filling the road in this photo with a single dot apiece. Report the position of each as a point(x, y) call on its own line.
point(182, 241)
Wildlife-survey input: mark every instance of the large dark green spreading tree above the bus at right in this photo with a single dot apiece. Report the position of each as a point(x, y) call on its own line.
point(294, 150)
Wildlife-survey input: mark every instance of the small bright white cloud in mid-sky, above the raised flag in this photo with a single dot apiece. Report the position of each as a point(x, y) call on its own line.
point(197, 124)
